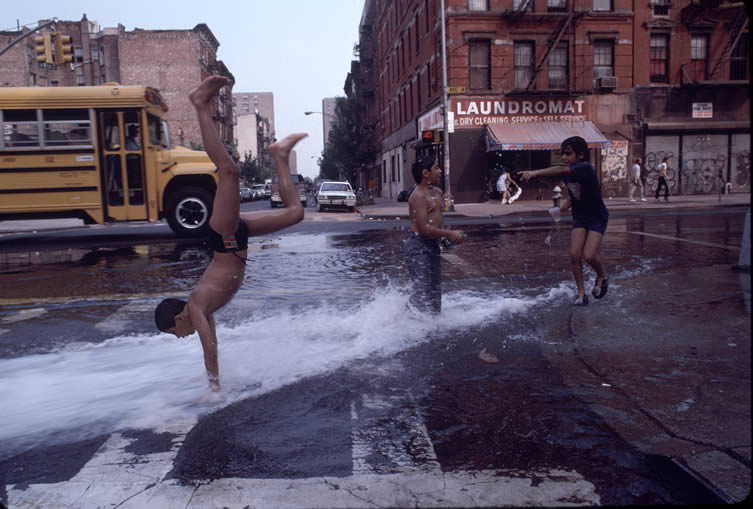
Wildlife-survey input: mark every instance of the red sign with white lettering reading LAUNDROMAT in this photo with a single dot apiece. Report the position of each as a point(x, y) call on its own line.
point(475, 113)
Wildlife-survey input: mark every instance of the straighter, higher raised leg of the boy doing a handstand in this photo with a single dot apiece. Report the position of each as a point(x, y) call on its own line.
point(226, 206)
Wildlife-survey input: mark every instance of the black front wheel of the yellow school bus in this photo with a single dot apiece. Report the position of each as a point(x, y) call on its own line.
point(188, 211)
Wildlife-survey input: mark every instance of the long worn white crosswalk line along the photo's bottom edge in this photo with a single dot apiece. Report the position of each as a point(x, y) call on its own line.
point(482, 488)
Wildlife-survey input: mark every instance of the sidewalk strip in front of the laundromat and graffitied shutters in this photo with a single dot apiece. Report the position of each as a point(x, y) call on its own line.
point(386, 208)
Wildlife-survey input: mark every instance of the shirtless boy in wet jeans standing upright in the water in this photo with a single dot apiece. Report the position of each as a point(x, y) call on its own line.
point(421, 249)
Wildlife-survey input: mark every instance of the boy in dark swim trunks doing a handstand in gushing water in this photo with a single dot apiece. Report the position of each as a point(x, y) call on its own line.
point(228, 235)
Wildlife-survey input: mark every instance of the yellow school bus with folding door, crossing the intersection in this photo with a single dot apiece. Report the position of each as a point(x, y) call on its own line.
point(101, 154)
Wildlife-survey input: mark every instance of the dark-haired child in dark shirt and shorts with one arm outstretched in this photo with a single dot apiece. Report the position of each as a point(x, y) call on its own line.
point(590, 215)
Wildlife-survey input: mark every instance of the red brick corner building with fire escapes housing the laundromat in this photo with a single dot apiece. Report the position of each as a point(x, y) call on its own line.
point(524, 74)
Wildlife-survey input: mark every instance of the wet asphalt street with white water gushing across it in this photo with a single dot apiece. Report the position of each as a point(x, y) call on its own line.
point(336, 395)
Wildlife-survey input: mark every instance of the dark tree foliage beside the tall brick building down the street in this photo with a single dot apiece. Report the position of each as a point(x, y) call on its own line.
point(352, 144)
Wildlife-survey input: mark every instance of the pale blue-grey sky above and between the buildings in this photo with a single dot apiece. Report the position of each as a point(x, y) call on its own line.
point(300, 50)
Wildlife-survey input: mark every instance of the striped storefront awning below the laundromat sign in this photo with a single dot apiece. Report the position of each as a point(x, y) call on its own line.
point(541, 135)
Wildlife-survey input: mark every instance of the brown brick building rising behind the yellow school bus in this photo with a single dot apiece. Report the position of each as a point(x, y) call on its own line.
point(174, 61)
